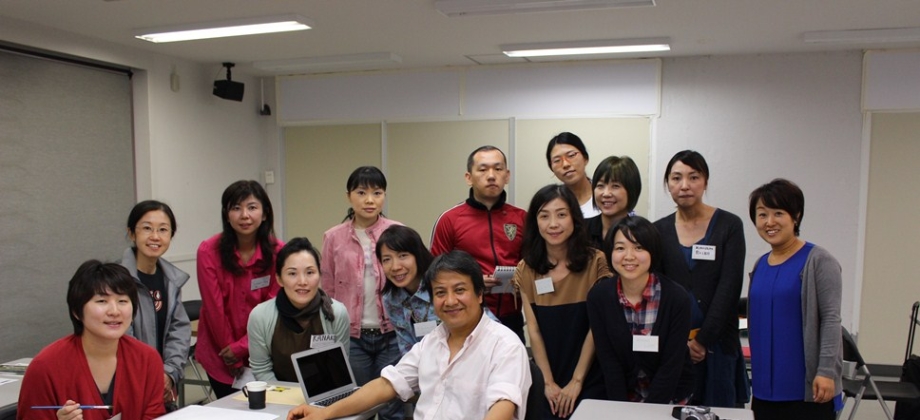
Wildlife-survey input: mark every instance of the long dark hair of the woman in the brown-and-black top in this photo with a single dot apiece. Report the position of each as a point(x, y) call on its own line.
point(534, 246)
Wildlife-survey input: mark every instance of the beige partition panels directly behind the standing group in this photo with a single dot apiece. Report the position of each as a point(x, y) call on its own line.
point(425, 164)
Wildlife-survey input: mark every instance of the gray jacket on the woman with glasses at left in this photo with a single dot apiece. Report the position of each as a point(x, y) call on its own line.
point(178, 335)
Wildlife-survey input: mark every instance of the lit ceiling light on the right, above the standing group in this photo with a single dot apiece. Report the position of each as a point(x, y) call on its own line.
point(615, 46)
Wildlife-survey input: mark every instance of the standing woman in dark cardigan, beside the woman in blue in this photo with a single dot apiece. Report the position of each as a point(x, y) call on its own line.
point(703, 251)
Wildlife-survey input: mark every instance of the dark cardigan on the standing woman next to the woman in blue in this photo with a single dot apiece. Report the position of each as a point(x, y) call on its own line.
point(715, 284)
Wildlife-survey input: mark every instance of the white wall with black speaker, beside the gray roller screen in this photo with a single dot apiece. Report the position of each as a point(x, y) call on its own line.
point(190, 145)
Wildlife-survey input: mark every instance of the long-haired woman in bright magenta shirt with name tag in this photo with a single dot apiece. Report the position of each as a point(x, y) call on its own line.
point(235, 273)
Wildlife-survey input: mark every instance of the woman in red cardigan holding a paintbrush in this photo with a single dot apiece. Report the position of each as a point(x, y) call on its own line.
point(99, 365)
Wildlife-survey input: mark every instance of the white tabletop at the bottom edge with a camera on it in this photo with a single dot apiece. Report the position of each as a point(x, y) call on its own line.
point(601, 409)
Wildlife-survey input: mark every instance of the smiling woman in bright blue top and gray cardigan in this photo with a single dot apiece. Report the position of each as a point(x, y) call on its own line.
point(793, 313)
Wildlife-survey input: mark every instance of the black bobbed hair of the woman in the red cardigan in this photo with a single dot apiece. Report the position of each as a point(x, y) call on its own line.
point(97, 278)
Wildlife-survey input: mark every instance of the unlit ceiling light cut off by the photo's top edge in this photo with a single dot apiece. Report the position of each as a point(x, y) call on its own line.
point(455, 8)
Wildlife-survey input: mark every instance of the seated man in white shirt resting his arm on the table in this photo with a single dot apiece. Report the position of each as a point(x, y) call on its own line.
point(469, 367)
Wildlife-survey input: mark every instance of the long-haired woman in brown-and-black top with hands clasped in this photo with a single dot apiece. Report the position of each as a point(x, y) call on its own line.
point(558, 270)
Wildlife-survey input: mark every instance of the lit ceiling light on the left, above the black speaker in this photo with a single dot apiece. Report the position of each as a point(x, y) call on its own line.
point(238, 27)
